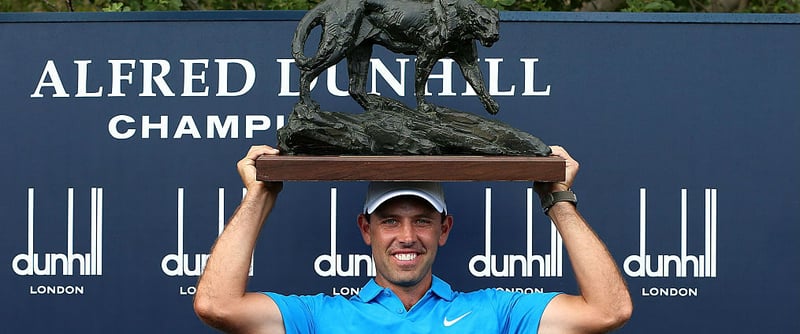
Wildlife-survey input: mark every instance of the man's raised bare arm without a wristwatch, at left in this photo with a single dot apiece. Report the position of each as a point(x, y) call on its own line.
point(221, 300)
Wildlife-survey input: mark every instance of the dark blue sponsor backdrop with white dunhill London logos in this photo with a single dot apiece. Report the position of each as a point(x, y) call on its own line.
point(120, 134)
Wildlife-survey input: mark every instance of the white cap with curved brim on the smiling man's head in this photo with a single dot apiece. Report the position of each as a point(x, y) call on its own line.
point(380, 192)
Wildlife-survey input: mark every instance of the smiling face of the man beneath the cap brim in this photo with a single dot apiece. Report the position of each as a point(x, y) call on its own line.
point(405, 233)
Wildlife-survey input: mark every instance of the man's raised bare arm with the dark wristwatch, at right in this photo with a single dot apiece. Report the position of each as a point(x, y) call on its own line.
point(604, 302)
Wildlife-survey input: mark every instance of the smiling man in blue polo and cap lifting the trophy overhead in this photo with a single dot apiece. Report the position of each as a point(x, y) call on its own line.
point(405, 224)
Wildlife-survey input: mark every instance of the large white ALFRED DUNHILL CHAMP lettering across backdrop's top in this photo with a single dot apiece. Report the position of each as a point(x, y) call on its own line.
point(155, 78)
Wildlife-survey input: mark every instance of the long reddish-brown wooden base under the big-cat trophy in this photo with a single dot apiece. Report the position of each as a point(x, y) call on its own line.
point(409, 168)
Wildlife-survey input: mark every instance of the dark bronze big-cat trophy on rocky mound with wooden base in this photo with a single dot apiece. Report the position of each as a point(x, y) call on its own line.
point(390, 141)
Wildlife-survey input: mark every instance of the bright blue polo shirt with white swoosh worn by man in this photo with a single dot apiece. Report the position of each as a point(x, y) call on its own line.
point(378, 310)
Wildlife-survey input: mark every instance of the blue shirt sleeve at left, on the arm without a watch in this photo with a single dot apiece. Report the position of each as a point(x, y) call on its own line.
point(296, 311)
